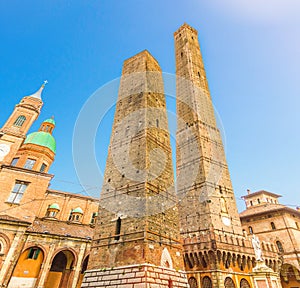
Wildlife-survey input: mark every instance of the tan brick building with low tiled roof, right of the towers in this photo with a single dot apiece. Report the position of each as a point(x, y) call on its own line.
point(278, 228)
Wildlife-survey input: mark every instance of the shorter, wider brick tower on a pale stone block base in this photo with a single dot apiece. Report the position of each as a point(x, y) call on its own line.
point(137, 240)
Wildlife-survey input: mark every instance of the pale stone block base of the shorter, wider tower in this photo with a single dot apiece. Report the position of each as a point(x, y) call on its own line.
point(135, 276)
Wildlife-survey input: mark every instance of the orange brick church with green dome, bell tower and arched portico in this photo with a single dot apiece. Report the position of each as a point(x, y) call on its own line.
point(45, 235)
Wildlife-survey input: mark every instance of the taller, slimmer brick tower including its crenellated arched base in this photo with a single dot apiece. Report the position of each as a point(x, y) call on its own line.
point(214, 245)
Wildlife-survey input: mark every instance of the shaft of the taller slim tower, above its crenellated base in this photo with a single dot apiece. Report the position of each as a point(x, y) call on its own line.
point(203, 180)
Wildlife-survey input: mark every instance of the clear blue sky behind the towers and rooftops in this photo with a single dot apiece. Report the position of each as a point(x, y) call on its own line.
point(251, 53)
